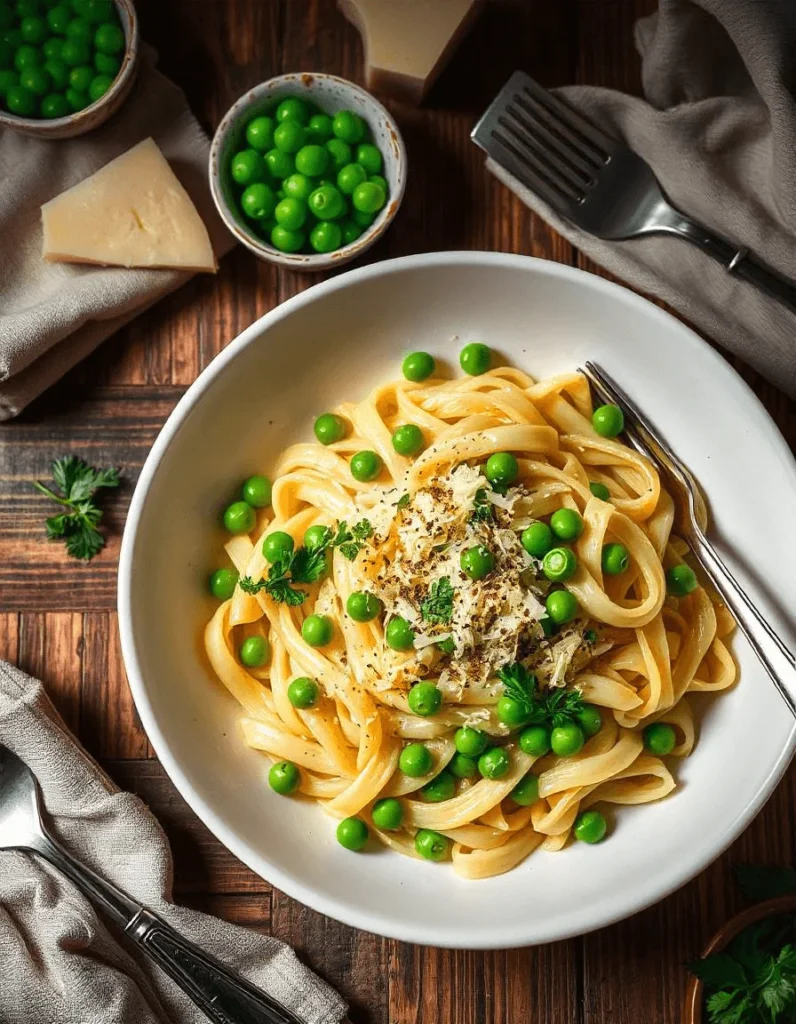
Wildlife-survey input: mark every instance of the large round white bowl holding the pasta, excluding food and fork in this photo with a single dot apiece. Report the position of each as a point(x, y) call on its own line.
point(338, 342)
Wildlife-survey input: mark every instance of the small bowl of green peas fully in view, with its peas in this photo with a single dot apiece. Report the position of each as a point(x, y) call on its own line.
point(308, 170)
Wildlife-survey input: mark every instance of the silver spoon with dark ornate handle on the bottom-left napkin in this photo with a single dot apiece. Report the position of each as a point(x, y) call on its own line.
point(222, 995)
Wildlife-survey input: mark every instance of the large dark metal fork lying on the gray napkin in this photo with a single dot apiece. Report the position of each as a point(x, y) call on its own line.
point(596, 182)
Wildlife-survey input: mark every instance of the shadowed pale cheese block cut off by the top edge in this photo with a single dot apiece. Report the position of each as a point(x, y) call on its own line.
point(408, 42)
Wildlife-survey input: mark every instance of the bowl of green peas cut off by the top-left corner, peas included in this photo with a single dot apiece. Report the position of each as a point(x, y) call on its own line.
point(66, 66)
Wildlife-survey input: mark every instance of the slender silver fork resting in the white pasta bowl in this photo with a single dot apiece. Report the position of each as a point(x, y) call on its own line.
point(691, 522)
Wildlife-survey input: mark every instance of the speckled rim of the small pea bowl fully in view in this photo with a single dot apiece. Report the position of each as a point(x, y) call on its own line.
point(307, 262)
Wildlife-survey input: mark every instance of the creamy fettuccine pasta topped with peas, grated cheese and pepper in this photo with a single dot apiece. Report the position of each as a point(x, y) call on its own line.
point(464, 625)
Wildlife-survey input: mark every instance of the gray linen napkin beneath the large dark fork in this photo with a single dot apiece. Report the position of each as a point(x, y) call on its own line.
point(720, 131)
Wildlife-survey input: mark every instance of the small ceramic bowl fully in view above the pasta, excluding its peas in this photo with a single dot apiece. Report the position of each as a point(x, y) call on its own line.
point(330, 95)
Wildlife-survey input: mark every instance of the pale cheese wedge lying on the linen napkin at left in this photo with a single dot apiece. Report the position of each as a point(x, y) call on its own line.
point(133, 212)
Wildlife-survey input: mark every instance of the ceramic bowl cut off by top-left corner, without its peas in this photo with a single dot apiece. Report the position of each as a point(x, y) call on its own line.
point(96, 115)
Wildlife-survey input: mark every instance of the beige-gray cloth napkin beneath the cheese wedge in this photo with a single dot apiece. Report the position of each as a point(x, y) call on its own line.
point(54, 315)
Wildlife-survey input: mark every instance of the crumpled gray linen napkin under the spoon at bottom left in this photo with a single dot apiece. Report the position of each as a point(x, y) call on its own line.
point(60, 963)
